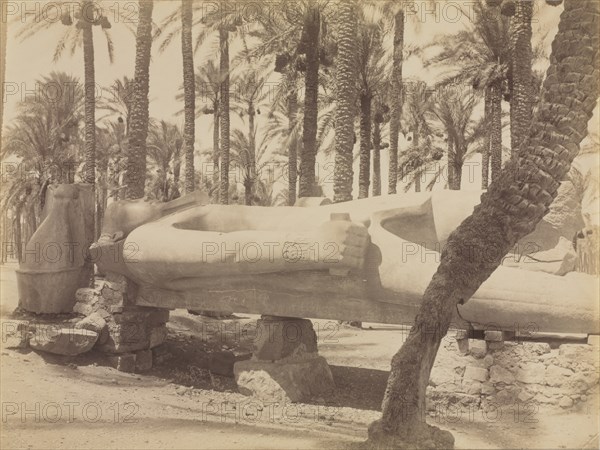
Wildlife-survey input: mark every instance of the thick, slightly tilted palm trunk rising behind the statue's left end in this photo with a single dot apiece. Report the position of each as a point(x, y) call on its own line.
point(135, 172)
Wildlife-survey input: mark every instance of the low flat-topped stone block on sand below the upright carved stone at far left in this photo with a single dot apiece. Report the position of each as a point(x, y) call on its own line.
point(63, 341)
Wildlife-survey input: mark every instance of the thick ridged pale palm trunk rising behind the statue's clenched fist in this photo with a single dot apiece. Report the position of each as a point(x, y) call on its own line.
point(346, 97)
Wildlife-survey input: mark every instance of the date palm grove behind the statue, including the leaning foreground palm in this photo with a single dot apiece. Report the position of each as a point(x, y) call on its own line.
point(342, 94)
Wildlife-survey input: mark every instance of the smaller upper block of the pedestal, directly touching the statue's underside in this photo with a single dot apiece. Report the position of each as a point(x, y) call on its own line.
point(278, 338)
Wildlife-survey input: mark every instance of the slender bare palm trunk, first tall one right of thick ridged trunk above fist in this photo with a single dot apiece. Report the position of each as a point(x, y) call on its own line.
point(396, 110)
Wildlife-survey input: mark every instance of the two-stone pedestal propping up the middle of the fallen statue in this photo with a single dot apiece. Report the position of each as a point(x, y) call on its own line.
point(285, 366)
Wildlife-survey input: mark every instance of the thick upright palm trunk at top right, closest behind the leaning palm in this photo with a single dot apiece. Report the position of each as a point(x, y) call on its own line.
point(521, 100)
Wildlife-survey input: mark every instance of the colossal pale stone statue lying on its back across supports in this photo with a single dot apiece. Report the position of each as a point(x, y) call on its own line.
point(367, 259)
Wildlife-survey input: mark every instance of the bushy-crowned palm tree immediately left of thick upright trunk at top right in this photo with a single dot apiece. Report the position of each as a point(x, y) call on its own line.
point(481, 55)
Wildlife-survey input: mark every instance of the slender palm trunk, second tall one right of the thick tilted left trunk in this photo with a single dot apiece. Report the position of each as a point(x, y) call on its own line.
point(224, 115)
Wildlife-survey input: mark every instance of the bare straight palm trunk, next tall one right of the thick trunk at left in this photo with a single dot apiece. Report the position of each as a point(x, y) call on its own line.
point(189, 94)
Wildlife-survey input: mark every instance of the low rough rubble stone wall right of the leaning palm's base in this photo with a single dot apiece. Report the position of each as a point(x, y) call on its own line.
point(492, 373)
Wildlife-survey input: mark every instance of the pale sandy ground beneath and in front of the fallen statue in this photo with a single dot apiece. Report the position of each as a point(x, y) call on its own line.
point(60, 402)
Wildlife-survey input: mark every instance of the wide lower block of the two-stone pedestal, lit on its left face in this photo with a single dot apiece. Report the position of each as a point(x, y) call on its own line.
point(284, 382)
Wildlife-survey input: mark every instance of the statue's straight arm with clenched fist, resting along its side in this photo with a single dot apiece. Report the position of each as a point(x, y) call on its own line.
point(167, 253)
